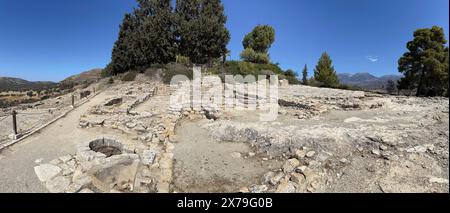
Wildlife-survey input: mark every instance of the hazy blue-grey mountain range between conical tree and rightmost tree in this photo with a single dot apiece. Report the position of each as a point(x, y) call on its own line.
point(366, 80)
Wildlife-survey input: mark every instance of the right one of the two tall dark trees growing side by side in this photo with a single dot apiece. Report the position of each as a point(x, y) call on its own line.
point(200, 28)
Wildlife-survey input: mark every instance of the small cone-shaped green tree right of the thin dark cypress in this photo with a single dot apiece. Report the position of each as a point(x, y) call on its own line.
point(325, 73)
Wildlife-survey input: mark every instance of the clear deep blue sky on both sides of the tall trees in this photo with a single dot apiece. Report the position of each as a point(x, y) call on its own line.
point(53, 39)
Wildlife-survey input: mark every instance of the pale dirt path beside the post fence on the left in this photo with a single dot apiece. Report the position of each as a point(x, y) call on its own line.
point(58, 139)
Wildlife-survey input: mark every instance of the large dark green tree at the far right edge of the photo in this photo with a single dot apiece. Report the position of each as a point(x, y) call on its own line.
point(425, 64)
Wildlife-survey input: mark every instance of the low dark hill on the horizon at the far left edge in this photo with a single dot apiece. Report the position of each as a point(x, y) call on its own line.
point(9, 84)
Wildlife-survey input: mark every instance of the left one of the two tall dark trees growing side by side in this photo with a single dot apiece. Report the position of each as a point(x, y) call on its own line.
point(146, 37)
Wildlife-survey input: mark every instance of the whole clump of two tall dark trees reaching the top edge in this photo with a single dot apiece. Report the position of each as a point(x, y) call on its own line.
point(155, 33)
